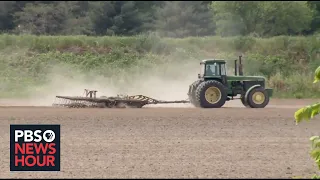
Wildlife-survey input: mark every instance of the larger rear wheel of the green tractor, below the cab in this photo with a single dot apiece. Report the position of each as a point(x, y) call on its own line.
point(201, 94)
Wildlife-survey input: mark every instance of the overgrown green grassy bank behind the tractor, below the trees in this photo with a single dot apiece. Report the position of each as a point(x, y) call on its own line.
point(285, 61)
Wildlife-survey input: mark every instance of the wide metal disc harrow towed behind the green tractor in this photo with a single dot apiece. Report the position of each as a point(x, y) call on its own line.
point(120, 101)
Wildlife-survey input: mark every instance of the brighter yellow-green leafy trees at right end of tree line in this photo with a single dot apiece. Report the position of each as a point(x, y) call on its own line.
point(266, 18)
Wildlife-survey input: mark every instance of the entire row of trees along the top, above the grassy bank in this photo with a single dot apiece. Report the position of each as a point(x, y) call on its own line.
point(168, 18)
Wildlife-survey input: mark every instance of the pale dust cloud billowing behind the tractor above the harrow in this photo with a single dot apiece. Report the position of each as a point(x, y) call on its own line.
point(167, 82)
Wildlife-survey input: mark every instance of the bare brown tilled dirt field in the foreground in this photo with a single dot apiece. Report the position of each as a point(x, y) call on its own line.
point(231, 142)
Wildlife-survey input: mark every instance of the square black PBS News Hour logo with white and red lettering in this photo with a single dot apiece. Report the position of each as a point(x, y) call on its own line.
point(34, 147)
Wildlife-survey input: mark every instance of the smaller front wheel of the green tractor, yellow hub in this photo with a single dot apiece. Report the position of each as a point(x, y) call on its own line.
point(253, 103)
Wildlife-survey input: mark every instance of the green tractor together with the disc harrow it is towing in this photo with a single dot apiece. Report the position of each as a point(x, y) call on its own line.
point(211, 90)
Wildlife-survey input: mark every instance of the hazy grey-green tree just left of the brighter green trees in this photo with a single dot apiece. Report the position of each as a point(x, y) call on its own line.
point(184, 18)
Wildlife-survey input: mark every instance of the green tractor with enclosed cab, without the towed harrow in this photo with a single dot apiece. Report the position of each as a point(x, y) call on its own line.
point(213, 87)
